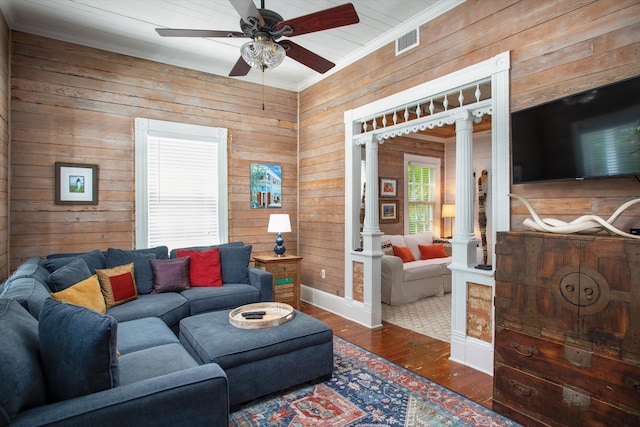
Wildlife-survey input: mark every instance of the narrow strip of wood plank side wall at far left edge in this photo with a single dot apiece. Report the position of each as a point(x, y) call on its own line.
point(5, 137)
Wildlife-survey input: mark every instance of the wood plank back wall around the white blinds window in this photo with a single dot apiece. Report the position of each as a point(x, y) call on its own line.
point(78, 104)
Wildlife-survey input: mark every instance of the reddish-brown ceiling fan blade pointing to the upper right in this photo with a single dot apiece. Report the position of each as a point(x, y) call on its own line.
point(325, 19)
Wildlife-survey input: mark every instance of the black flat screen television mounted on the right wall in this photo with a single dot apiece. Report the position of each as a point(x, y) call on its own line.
point(593, 134)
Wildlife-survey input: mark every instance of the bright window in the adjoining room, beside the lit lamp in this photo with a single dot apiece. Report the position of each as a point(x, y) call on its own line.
point(421, 198)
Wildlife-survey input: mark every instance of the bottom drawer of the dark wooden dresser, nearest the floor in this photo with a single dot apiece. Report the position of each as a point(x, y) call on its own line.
point(546, 403)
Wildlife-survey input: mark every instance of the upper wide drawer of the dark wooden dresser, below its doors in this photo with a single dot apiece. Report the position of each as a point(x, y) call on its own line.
point(607, 379)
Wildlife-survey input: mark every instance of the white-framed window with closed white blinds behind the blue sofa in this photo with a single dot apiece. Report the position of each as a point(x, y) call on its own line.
point(180, 185)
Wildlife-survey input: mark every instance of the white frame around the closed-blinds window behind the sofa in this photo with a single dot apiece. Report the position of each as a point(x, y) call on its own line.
point(149, 127)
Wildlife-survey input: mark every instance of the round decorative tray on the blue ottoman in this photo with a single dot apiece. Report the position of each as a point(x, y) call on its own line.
point(261, 315)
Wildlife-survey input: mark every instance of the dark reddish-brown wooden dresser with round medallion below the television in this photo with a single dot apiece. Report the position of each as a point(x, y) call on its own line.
point(567, 329)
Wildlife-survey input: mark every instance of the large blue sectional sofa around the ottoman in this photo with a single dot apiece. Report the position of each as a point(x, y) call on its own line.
point(67, 365)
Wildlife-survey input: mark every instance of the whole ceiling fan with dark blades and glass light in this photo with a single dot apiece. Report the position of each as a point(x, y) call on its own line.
point(265, 27)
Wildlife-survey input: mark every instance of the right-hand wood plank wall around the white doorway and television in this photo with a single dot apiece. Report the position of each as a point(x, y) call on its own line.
point(557, 48)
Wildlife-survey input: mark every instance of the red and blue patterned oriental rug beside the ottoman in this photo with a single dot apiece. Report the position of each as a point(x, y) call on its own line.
point(366, 391)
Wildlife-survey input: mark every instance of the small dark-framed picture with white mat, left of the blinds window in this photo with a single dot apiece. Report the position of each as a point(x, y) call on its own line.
point(76, 184)
